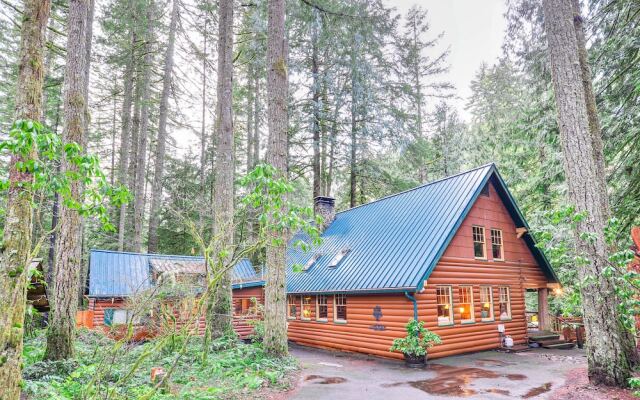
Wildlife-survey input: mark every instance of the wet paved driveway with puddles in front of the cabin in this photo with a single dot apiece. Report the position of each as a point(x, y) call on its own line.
point(486, 375)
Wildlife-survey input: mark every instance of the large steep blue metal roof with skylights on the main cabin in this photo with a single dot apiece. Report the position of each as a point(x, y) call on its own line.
point(396, 242)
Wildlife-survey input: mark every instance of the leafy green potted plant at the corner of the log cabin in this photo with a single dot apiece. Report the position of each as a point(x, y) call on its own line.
point(415, 345)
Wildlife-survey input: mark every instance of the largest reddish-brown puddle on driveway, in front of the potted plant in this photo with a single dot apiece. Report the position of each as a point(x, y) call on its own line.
point(456, 381)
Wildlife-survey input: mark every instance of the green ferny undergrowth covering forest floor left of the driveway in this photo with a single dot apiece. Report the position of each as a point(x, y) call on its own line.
point(104, 368)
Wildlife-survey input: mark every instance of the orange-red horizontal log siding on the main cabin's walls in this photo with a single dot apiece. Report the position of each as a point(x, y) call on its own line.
point(458, 266)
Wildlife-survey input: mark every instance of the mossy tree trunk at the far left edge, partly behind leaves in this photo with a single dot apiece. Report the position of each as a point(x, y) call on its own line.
point(16, 248)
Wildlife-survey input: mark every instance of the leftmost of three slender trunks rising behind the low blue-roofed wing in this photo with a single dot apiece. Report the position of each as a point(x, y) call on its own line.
point(125, 135)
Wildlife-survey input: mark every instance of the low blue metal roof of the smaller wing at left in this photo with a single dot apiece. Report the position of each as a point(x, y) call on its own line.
point(120, 274)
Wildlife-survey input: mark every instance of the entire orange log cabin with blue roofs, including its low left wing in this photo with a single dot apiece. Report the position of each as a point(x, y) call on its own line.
point(456, 253)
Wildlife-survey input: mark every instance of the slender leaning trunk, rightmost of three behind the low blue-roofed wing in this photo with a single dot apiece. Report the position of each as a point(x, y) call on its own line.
point(156, 191)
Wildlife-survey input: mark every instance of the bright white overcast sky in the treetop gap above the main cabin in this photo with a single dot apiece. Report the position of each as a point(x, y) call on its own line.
point(474, 31)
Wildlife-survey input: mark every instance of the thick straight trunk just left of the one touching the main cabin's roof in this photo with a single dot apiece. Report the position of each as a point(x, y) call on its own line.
point(220, 317)
